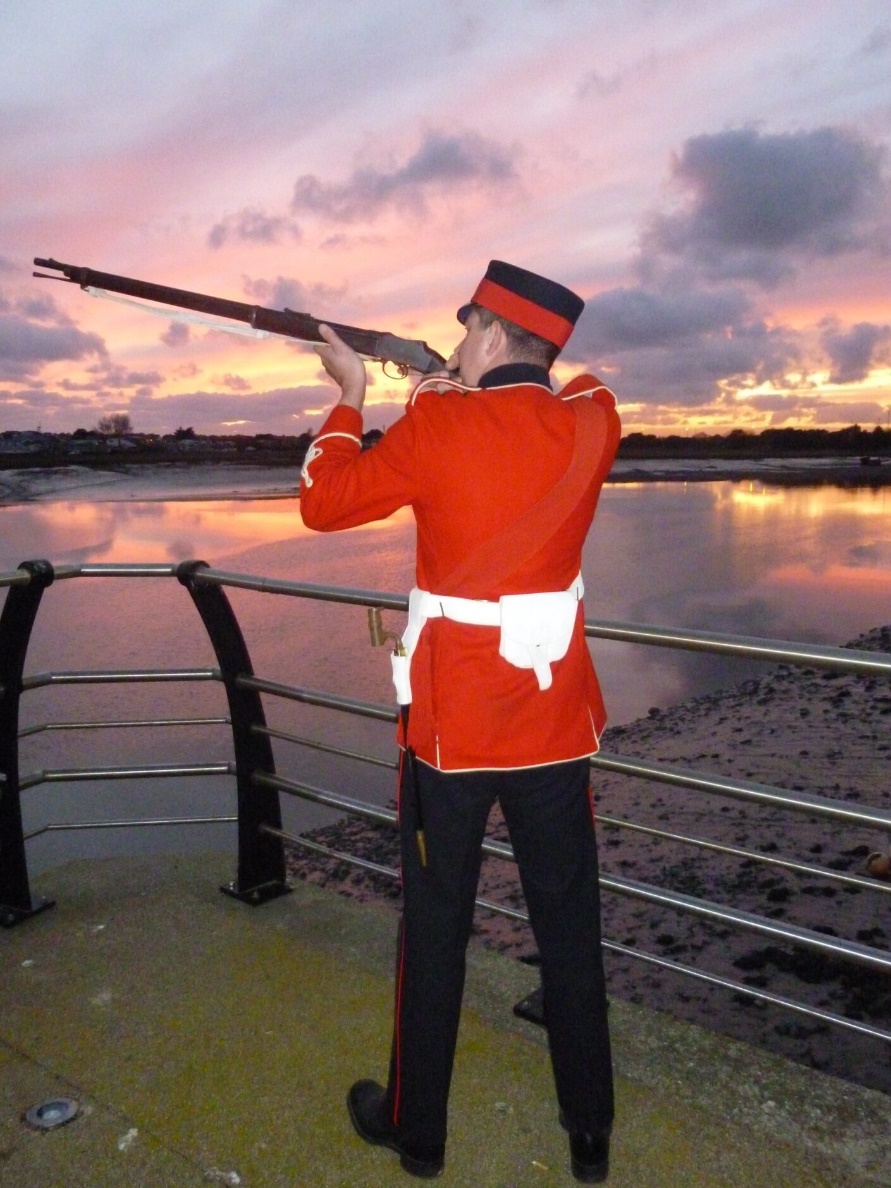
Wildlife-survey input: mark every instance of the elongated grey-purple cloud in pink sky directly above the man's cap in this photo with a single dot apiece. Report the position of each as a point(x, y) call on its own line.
point(441, 163)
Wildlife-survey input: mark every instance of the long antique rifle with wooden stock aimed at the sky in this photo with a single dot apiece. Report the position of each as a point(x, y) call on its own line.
point(406, 355)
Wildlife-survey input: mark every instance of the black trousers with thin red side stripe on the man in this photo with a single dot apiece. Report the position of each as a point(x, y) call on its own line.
point(549, 817)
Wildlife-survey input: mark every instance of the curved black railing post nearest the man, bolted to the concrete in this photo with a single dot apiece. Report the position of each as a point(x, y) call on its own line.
point(262, 856)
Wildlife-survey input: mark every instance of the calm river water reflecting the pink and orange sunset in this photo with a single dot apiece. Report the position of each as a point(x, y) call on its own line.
point(801, 564)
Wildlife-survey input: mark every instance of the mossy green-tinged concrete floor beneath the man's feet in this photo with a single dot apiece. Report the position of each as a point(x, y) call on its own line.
point(223, 1039)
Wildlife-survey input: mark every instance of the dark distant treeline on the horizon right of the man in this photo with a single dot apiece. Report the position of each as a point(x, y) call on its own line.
point(769, 444)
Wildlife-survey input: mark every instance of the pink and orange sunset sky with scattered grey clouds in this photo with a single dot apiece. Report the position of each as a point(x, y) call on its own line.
point(713, 179)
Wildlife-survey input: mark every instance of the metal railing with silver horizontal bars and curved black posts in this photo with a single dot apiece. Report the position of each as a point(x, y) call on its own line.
point(262, 839)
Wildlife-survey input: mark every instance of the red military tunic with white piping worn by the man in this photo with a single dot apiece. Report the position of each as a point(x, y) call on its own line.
point(470, 463)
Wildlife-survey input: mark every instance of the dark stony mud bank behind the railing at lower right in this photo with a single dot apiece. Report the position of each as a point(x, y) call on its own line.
point(799, 729)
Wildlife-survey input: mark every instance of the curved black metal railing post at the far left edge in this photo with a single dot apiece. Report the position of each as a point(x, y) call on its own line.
point(16, 625)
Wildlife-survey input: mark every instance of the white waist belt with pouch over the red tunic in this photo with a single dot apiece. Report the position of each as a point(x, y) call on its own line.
point(536, 629)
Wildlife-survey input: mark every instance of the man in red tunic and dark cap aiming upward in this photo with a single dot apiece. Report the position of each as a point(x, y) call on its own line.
point(504, 478)
